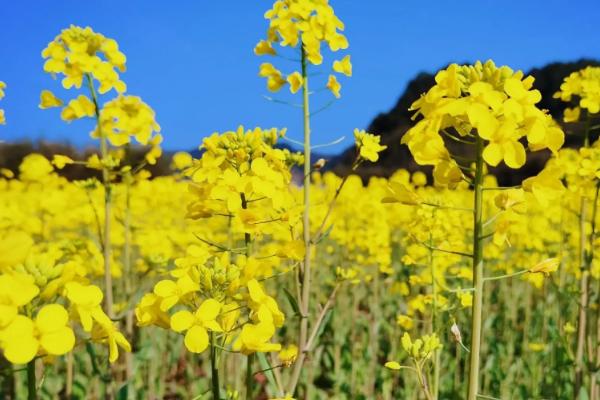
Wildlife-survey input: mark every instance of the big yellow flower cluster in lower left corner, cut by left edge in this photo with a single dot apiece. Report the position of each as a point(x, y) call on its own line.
point(35, 322)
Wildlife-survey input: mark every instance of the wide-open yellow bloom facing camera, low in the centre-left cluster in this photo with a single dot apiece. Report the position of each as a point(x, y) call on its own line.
point(197, 324)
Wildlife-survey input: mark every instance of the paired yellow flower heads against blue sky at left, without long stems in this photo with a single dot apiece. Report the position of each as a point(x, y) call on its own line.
point(82, 54)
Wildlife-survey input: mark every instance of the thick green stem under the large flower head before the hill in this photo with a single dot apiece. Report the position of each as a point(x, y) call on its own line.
point(476, 317)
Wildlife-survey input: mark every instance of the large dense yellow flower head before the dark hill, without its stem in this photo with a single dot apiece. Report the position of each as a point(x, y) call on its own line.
point(480, 102)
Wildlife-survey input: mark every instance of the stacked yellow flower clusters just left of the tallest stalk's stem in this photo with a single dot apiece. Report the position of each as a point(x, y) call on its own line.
point(214, 291)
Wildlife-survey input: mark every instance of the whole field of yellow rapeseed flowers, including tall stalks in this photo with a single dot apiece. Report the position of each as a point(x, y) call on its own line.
point(254, 272)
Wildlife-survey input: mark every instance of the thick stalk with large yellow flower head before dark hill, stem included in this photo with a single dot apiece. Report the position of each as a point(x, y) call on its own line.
point(490, 109)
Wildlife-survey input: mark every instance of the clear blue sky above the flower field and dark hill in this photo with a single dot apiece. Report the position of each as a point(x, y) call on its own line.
point(192, 60)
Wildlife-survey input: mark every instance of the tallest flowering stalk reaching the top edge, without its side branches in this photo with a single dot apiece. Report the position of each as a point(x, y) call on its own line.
point(303, 25)
